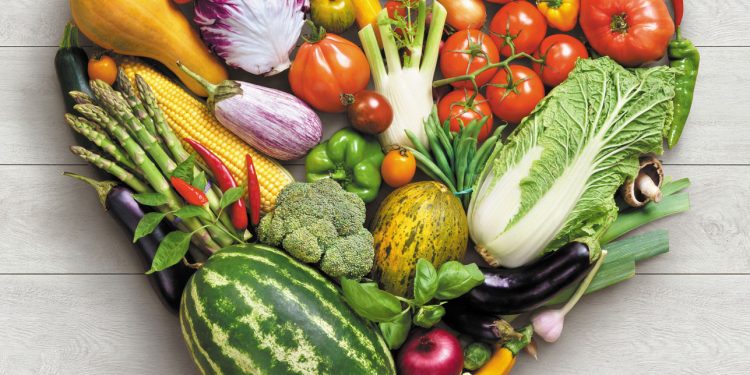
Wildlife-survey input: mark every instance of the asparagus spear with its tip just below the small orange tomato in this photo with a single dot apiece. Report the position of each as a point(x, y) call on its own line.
point(119, 109)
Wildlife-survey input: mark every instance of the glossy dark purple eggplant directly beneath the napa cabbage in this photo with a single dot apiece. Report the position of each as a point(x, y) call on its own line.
point(513, 291)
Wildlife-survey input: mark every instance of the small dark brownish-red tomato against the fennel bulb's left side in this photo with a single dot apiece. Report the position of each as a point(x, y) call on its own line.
point(369, 112)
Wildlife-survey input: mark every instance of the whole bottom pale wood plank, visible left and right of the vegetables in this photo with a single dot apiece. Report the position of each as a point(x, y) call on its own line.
point(93, 324)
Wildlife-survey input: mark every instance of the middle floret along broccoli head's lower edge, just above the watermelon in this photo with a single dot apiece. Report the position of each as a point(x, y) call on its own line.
point(306, 244)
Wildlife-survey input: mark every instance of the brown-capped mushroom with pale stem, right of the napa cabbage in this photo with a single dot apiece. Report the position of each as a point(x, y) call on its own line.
point(646, 185)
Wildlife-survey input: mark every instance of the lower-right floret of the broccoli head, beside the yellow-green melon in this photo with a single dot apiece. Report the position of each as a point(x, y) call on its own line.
point(349, 256)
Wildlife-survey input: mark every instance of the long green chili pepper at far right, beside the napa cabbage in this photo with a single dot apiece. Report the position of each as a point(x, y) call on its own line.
point(684, 56)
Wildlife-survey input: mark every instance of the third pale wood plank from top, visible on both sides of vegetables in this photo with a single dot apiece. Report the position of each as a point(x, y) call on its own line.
point(77, 236)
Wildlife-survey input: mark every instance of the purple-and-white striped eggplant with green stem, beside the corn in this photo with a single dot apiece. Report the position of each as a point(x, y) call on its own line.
point(274, 122)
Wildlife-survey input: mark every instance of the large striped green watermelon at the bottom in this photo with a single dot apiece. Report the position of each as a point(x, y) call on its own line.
point(252, 309)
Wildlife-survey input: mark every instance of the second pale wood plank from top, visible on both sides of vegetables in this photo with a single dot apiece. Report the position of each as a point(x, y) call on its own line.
point(33, 130)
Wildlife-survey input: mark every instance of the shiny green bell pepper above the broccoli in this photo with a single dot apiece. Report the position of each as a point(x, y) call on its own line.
point(350, 159)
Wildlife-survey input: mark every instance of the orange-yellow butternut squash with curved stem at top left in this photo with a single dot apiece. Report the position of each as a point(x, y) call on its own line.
point(149, 28)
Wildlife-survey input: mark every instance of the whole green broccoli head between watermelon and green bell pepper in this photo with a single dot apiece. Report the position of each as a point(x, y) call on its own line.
point(321, 223)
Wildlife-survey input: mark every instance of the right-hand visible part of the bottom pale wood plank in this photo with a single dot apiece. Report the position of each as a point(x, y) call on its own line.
point(653, 325)
